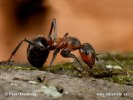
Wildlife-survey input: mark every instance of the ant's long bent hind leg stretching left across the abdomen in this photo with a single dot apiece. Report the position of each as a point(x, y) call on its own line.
point(20, 43)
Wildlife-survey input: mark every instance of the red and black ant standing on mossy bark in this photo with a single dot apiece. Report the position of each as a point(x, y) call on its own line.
point(40, 47)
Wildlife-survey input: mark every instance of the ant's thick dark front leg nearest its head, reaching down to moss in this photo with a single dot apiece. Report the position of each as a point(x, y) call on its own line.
point(66, 53)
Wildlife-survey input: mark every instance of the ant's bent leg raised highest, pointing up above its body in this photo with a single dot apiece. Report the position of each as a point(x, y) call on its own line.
point(53, 26)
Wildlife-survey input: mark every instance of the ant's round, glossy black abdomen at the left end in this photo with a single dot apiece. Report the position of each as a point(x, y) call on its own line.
point(37, 56)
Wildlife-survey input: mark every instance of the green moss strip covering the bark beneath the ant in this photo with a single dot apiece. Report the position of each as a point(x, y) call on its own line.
point(121, 76)
